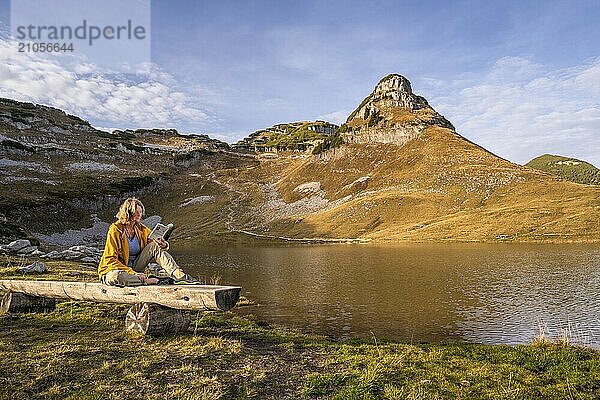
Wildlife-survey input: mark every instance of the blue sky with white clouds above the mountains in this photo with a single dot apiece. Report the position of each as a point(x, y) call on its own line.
point(521, 78)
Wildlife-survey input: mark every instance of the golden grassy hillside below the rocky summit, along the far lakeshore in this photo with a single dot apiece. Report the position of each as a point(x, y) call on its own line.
point(438, 187)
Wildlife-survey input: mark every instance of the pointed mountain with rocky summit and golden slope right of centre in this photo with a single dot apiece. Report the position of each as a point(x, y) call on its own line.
point(405, 174)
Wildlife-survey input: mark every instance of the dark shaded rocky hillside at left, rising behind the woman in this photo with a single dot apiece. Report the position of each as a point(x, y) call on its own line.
point(58, 169)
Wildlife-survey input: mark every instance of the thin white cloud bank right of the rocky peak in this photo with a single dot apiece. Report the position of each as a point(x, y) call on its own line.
point(520, 110)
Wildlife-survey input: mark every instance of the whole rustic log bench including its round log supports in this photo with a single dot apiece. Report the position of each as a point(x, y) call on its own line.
point(156, 309)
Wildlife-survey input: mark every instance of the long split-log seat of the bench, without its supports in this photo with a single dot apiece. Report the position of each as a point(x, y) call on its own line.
point(182, 297)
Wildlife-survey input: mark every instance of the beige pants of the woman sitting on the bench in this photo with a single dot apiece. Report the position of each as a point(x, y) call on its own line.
point(151, 253)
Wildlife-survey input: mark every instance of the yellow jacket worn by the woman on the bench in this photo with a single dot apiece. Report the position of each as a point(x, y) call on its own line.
point(116, 250)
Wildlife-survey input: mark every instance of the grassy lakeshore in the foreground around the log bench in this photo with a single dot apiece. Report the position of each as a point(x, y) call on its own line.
point(81, 351)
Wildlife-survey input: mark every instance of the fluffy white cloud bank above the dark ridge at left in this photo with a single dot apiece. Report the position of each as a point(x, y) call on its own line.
point(147, 99)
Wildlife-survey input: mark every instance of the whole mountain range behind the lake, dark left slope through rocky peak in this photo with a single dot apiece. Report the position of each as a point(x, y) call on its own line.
point(396, 171)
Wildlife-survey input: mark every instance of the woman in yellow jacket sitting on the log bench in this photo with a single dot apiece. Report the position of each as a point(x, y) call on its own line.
point(128, 252)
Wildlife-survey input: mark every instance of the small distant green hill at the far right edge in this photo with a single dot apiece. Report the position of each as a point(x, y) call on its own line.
point(571, 169)
